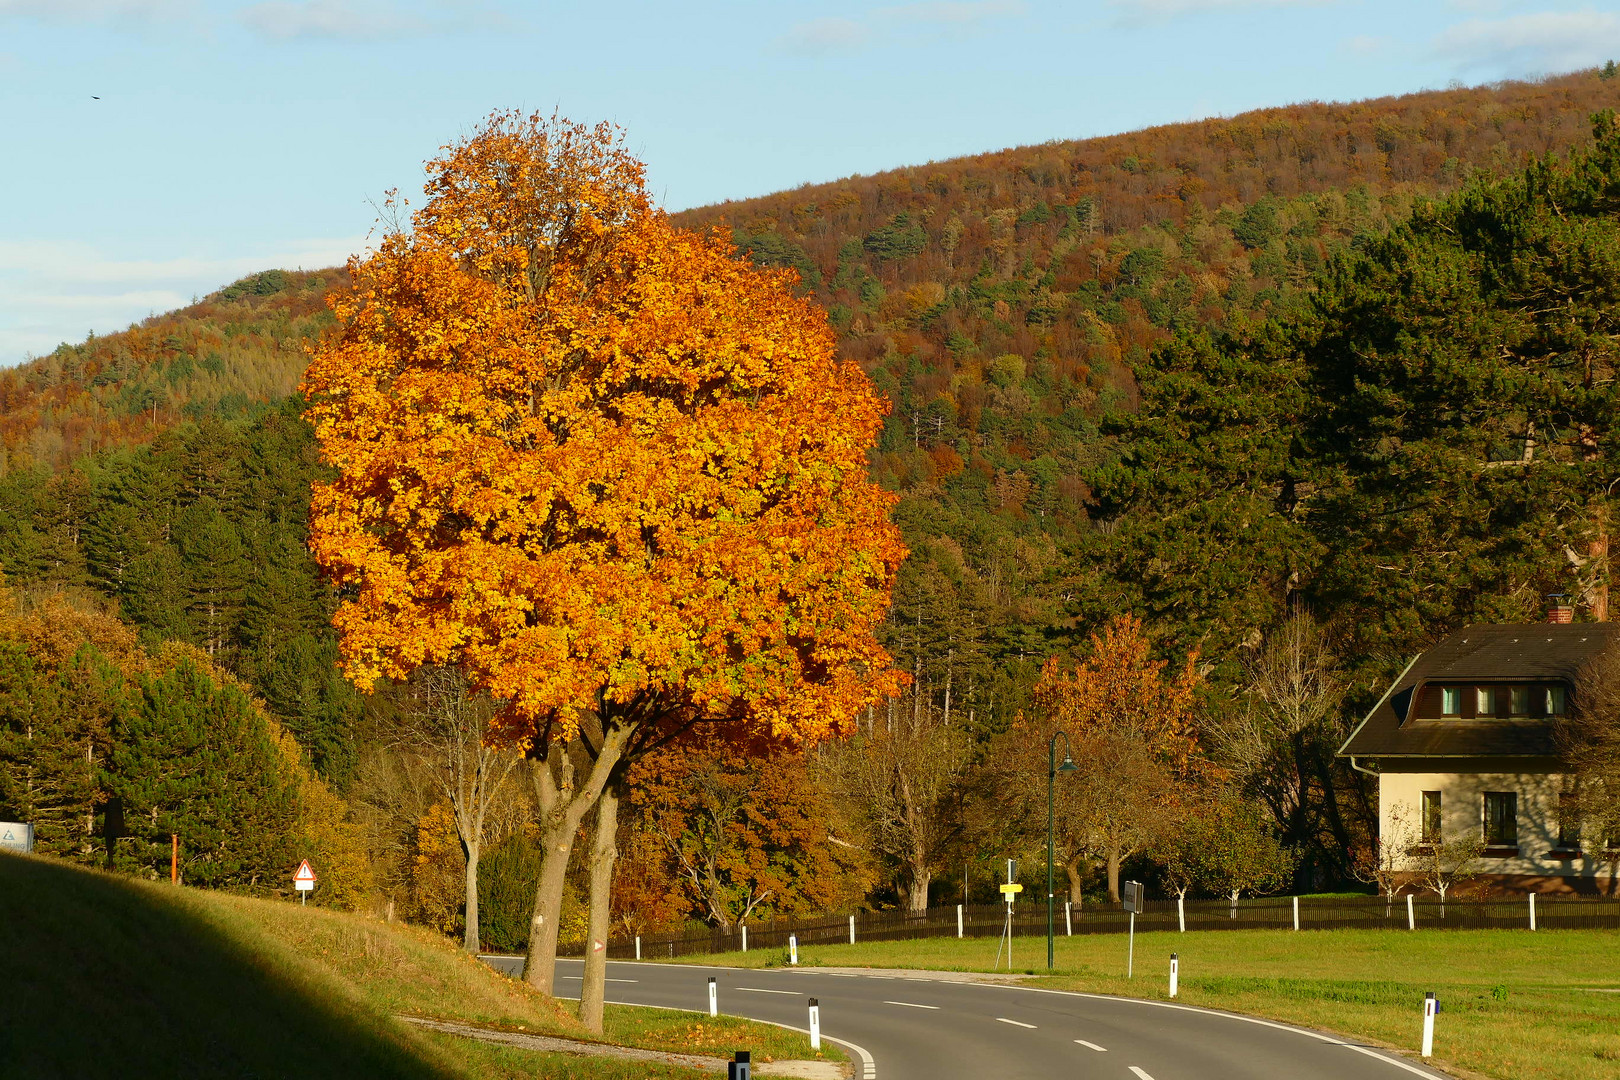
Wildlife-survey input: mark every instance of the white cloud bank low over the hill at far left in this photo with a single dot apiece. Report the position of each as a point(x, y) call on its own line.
point(59, 292)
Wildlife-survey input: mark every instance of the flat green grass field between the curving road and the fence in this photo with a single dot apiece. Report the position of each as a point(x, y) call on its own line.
point(1516, 1005)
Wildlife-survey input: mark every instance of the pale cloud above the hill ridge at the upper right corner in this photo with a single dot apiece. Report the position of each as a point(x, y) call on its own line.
point(1528, 45)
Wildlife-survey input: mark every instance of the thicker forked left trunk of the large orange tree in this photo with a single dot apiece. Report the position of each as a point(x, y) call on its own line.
point(563, 806)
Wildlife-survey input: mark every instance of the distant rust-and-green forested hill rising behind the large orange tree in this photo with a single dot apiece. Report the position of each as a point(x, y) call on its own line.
point(1004, 302)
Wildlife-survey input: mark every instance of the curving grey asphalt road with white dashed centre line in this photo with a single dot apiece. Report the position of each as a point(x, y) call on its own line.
point(908, 1029)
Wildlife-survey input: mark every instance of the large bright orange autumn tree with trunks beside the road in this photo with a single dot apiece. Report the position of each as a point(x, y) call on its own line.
point(605, 467)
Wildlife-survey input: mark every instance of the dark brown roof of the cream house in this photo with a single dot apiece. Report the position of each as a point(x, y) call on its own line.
point(1501, 653)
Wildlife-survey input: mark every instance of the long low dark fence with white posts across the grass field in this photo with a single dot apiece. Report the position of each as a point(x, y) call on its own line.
point(987, 921)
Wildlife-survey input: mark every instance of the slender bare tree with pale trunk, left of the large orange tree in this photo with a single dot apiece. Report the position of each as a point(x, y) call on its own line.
point(445, 728)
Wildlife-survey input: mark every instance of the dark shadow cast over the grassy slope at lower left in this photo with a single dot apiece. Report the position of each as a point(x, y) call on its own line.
point(101, 977)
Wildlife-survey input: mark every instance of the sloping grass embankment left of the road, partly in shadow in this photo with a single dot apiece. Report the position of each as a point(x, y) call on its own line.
point(116, 977)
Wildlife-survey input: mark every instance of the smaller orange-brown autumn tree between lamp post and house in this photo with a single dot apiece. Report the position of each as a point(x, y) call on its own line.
point(1132, 726)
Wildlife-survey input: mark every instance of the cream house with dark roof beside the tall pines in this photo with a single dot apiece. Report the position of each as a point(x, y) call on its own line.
point(1465, 744)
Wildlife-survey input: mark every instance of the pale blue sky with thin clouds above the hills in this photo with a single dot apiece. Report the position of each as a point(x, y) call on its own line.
point(156, 150)
